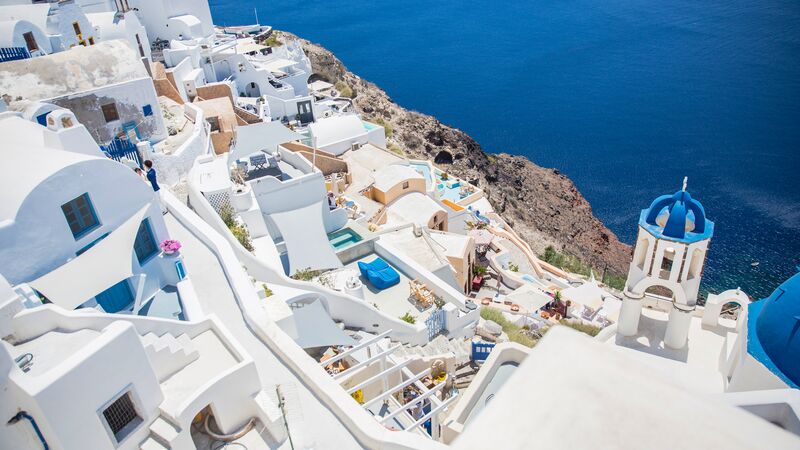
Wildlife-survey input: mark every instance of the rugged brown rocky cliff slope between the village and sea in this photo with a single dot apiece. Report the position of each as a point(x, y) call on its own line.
point(542, 205)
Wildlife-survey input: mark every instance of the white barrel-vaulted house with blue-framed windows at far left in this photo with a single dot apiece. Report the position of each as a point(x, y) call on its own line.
point(56, 183)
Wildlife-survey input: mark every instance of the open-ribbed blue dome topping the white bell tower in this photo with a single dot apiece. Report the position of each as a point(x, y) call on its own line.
point(677, 217)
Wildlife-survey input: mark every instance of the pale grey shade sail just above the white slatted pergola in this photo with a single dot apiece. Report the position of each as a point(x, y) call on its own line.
point(311, 326)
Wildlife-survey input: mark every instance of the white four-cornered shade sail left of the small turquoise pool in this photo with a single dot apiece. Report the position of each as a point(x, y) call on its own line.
point(305, 237)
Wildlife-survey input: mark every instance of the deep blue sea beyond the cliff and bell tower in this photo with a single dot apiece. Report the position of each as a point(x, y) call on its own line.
point(625, 97)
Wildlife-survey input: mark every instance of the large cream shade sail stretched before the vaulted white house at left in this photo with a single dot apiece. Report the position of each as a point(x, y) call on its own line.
point(105, 264)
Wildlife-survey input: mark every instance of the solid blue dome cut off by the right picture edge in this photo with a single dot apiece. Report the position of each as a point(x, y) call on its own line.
point(773, 331)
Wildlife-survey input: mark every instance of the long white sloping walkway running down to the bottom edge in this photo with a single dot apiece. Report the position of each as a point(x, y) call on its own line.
point(311, 424)
